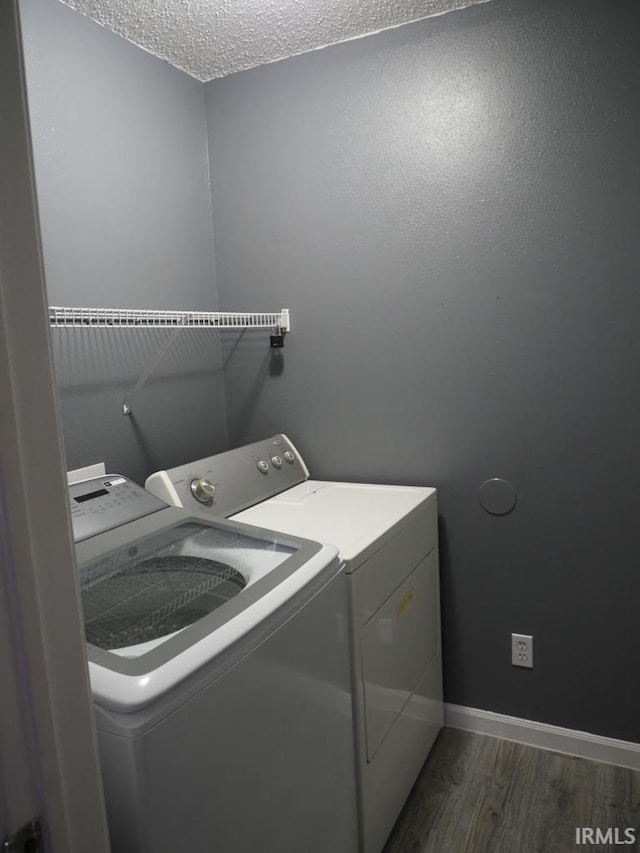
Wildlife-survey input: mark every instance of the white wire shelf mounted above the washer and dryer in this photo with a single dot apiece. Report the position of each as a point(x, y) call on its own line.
point(105, 318)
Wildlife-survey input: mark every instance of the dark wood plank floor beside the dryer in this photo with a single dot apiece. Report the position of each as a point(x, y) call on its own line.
point(479, 794)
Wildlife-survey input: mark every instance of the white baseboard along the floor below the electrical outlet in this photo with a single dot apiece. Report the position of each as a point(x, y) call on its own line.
point(583, 744)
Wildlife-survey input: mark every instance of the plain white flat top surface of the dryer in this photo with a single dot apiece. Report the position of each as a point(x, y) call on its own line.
point(353, 516)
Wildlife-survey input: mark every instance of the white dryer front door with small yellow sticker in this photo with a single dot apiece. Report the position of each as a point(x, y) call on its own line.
point(398, 644)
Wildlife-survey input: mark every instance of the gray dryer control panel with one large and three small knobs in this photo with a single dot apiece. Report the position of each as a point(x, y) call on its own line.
point(229, 482)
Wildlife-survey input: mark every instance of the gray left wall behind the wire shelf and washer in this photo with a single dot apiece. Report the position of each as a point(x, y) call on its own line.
point(124, 195)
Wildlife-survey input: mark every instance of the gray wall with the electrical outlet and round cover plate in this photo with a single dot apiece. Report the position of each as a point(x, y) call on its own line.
point(450, 210)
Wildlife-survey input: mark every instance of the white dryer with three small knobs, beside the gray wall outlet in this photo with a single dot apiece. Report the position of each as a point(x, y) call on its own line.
point(387, 538)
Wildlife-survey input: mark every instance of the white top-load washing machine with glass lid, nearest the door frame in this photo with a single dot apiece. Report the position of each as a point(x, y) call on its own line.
point(218, 665)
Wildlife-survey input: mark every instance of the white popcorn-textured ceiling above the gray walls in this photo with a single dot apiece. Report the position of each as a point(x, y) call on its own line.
point(213, 38)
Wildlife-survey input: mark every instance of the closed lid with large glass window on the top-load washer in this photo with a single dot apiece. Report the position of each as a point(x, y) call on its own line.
point(165, 594)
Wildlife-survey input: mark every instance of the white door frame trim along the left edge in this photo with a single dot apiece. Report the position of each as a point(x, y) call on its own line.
point(45, 707)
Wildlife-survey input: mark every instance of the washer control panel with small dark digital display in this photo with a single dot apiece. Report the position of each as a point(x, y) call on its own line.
point(103, 503)
